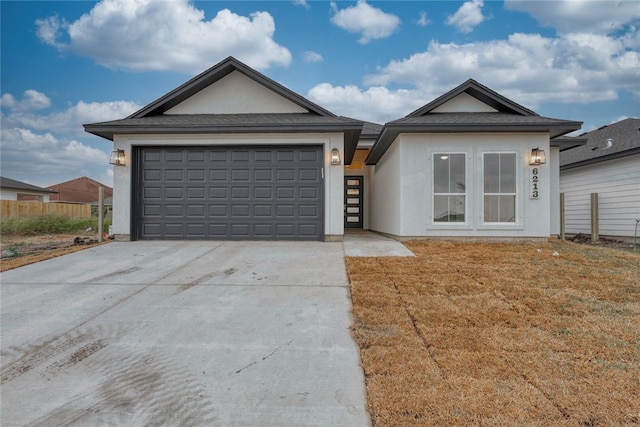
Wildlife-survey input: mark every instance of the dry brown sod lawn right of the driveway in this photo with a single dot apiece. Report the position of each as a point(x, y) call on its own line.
point(500, 334)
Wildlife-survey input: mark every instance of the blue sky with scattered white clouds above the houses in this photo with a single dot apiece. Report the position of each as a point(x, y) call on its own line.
point(65, 63)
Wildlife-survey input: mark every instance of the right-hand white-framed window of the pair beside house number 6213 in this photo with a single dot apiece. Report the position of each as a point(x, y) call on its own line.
point(499, 187)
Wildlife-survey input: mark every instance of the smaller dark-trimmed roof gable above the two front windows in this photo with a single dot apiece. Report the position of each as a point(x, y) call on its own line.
point(479, 92)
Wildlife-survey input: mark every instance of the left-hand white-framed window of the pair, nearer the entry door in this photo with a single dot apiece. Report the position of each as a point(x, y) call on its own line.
point(449, 188)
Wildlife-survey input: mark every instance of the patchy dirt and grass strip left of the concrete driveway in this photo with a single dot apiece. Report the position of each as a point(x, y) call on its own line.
point(18, 251)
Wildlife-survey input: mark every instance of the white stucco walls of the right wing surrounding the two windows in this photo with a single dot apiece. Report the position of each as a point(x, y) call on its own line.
point(403, 183)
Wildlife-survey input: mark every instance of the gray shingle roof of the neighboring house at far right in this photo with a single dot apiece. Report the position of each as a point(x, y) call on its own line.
point(625, 140)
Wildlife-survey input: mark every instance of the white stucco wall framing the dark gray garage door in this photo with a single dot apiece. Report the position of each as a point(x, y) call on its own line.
point(333, 175)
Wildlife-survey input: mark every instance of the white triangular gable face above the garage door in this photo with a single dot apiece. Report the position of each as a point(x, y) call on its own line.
point(236, 94)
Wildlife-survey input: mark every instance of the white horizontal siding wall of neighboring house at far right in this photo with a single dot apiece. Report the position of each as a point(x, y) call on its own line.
point(617, 183)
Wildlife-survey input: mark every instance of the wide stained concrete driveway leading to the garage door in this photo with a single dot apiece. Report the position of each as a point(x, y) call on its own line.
point(182, 334)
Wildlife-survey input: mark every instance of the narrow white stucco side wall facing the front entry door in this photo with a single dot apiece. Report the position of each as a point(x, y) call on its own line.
point(385, 213)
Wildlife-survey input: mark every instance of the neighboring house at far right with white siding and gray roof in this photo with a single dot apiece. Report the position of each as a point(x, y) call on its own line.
point(609, 164)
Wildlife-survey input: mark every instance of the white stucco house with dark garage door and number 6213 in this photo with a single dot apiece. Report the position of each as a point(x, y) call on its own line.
point(231, 154)
